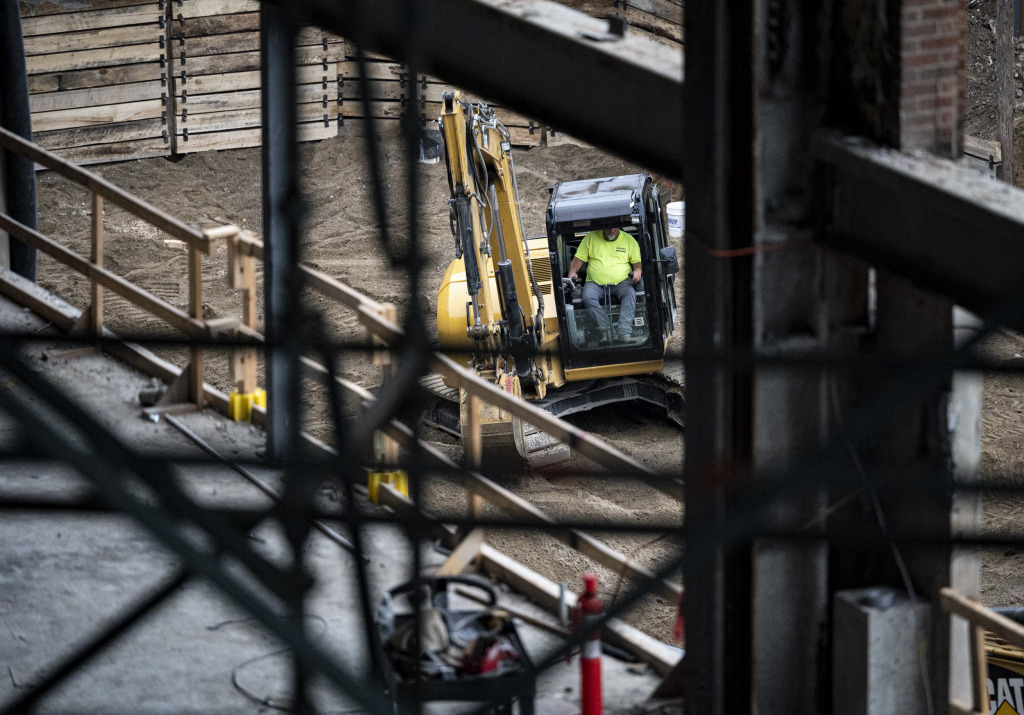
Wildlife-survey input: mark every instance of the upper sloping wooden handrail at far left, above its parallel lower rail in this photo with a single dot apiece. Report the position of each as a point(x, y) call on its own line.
point(113, 194)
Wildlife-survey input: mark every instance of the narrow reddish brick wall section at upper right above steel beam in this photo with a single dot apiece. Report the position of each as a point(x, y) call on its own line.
point(932, 85)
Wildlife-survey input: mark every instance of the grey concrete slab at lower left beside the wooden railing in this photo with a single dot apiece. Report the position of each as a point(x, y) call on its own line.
point(66, 575)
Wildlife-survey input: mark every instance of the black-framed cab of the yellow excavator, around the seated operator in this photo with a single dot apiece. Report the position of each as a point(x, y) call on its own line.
point(594, 343)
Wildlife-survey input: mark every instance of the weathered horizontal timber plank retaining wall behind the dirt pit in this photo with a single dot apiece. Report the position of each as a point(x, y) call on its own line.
point(111, 80)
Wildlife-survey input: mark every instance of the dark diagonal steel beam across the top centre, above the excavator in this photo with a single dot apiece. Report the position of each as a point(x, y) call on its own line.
point(543, 60)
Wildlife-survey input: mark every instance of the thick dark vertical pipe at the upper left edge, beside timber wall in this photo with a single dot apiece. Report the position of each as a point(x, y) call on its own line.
point(18, 173)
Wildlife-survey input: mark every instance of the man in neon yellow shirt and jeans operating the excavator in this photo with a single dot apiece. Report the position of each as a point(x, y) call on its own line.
point(613, 260)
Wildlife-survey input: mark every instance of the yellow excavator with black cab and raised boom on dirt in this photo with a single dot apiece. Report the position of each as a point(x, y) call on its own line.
point(506, 302)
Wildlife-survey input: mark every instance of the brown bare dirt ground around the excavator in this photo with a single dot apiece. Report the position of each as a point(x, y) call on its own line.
point(340, 238)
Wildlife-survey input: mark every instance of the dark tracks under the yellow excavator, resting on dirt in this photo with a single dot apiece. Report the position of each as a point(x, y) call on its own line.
point(664, 389)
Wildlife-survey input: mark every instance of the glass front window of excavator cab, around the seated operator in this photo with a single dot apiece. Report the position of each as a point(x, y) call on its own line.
point(610, 326)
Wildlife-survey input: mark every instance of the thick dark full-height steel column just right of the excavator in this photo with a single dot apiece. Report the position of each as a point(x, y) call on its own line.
point(718, 176)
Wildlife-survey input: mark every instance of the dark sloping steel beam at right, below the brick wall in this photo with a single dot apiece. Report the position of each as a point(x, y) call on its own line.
point(944, 227)
